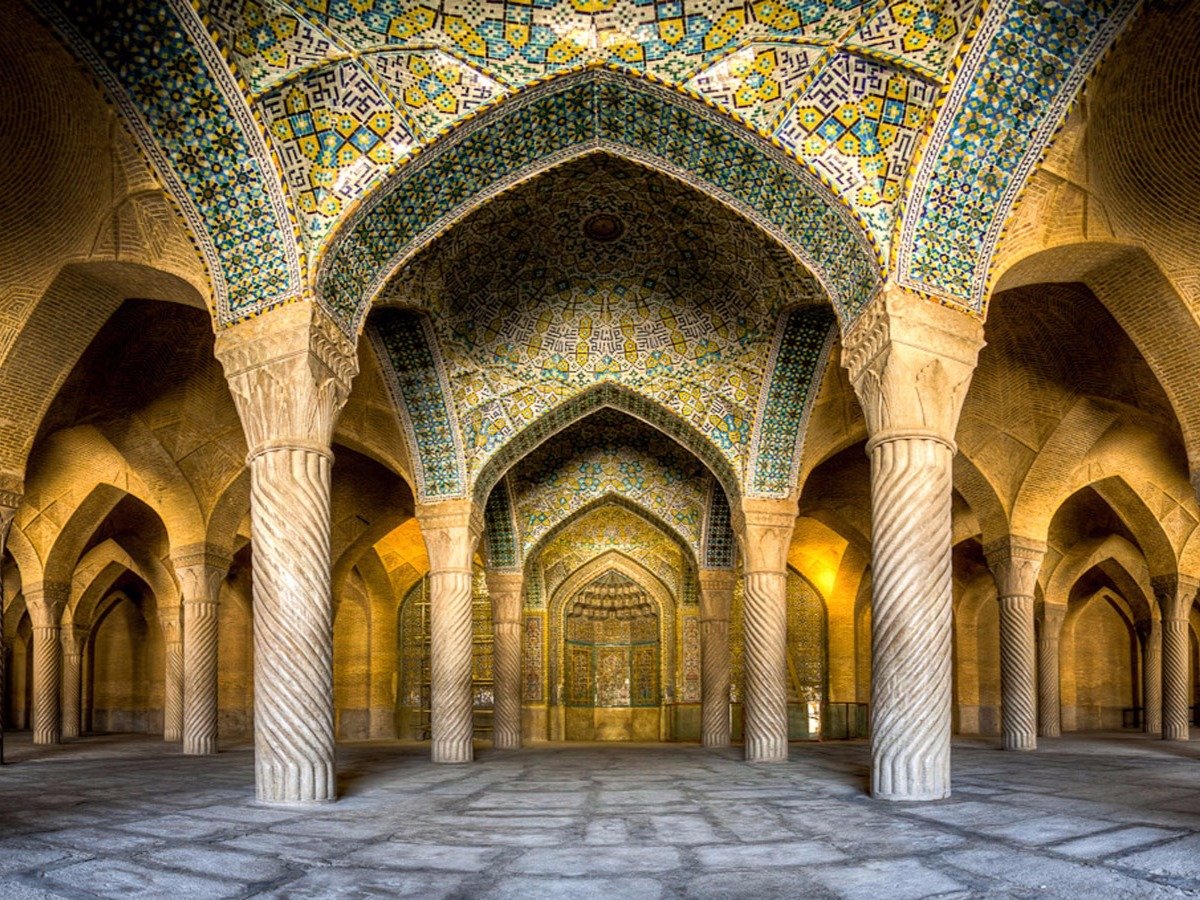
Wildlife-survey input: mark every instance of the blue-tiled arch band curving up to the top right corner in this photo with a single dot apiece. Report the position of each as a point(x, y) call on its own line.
point(1021, 75)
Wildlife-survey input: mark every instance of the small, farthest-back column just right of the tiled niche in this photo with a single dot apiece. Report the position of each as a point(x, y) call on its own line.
point(716, 599)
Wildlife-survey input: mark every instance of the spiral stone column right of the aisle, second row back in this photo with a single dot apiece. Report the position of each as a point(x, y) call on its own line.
point(767, 535)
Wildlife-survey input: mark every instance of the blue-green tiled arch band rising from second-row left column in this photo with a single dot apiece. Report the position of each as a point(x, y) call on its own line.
point(407, 352)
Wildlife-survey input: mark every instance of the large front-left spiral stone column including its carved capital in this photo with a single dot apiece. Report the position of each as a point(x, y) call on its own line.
point(290, 373)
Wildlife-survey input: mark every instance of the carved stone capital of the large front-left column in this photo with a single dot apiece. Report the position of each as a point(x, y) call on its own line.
point(290, 371)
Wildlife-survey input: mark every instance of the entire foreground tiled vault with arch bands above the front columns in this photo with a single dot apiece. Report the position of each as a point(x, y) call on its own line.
point(877, 140)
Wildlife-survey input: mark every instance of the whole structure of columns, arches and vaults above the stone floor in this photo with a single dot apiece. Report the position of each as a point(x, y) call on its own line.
point(733, 380)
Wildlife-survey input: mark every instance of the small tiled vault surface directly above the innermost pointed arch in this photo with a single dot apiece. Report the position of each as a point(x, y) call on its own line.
point(609, 454)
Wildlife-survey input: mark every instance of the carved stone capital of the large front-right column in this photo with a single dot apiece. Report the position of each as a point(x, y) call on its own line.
point(911, 362)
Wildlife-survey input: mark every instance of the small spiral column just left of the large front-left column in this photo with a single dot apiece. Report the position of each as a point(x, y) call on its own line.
point(201, 569)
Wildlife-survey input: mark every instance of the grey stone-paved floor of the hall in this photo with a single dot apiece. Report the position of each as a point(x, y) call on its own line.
point(121, 817)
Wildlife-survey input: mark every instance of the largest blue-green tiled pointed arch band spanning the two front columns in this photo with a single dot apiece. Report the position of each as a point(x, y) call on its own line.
point(589, 112)
